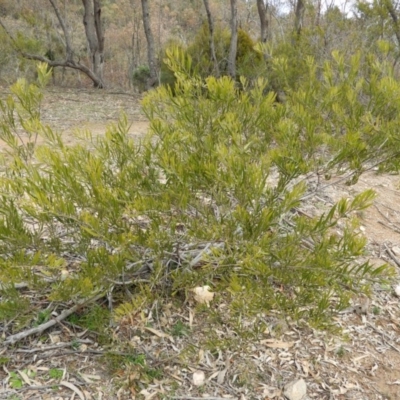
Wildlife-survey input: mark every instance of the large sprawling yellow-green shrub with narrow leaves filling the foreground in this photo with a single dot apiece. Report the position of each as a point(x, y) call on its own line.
point(200, 187)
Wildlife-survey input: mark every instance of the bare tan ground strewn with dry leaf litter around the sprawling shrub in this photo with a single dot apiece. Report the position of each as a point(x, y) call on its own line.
point(362, 364)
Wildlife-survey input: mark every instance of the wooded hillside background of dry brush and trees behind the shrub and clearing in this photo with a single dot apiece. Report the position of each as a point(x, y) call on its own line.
point(54, 32)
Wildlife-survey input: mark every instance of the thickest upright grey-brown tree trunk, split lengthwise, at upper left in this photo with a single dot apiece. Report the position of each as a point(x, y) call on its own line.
point(95, 37)
